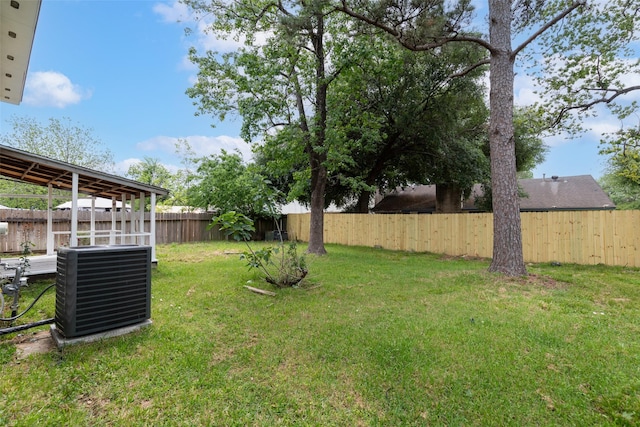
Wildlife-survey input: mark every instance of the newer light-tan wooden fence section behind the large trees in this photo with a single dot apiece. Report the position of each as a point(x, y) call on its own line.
point(580, 237)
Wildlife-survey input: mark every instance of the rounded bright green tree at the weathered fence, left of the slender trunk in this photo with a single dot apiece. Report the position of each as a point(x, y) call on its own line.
point(224, 183)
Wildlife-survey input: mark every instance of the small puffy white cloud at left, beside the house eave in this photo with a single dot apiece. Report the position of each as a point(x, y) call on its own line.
point(52, 89)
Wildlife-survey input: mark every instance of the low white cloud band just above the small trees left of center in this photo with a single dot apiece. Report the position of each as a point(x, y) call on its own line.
point(201, 145)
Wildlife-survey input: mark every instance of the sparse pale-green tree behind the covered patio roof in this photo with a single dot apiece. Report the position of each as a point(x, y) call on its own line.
point(61, 140)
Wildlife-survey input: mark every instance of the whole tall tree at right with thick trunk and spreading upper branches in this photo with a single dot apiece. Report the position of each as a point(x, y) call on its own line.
point(584, 53)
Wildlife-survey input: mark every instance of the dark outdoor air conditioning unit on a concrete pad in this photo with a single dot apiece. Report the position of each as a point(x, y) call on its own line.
point(102, 288)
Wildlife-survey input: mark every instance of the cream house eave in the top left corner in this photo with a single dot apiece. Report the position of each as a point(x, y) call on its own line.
point(18, 19)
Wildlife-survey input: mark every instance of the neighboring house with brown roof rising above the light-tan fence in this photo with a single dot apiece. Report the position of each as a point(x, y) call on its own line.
point(569, 193)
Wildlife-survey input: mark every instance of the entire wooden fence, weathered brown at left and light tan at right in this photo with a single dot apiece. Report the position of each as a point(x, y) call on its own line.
point(581, 237)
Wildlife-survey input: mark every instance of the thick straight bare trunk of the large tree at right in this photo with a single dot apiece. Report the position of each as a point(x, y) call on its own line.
point(507, 233)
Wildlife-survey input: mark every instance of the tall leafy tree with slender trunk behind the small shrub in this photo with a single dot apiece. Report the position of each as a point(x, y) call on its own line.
point(280, 82)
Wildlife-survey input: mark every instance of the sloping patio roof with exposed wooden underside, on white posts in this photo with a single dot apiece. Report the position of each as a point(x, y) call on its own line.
point(35, 169)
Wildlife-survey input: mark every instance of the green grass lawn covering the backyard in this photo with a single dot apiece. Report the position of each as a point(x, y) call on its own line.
point(373, 338)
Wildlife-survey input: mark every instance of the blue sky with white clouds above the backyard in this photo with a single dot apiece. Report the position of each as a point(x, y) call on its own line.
point(119, 67)
